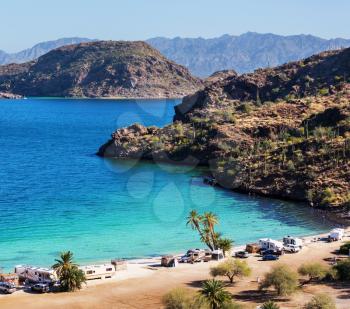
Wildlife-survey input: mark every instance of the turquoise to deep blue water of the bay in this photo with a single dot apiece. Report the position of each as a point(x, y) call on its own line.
point(55, 194)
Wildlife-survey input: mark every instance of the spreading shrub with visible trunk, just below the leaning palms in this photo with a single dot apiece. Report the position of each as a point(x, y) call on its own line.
point(231, 269)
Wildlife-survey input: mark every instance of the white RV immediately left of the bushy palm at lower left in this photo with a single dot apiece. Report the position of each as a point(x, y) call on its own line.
point(35, 274)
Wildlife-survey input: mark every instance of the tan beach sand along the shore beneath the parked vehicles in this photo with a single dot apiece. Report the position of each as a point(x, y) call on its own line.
point(144, 284)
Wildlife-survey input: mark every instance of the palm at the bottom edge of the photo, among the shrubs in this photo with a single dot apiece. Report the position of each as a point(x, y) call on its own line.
point(214, 293)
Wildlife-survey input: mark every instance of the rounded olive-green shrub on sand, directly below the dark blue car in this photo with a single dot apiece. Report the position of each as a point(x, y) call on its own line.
point(282, 279)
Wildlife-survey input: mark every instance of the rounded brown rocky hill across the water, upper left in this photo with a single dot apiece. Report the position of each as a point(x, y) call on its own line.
point(100, 69)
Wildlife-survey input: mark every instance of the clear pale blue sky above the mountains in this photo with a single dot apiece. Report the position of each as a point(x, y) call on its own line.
point(24, 23)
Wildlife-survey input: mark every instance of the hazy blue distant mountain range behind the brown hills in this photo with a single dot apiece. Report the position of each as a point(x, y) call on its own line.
point(203, 57)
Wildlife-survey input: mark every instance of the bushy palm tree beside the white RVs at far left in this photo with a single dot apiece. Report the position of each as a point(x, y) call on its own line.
point(70, 276)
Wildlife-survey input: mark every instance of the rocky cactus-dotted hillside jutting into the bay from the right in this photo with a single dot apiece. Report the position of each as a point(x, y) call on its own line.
point(281, 132)
